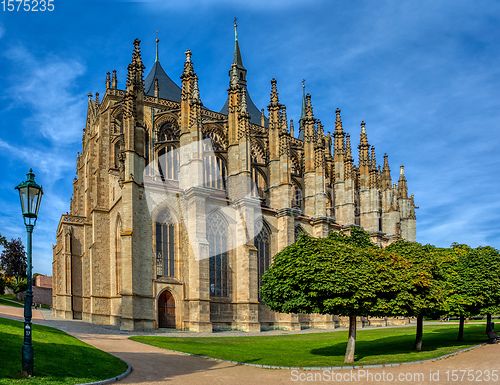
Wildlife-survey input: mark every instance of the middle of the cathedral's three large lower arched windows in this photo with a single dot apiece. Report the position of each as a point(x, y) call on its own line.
point(217, 235)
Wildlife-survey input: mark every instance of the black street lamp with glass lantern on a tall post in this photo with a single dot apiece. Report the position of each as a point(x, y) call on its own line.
point(30, 194)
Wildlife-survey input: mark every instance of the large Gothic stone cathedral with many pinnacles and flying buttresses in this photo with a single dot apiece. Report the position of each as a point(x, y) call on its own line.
point(177, 210)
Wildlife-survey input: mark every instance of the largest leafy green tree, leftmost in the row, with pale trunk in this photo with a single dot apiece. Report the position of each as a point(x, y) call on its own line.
point(336, 275)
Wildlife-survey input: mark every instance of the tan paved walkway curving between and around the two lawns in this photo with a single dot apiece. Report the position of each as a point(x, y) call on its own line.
point(152, 365)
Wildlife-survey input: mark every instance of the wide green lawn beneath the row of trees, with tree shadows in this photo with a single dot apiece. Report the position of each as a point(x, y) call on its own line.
point(375, 346)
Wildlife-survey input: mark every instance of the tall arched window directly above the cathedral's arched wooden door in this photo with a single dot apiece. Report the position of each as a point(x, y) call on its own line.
point(165, 245)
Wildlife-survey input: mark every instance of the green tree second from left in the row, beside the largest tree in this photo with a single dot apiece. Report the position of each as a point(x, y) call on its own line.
point(420, 289)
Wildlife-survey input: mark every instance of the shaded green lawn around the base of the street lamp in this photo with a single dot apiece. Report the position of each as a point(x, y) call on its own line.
point(59, 358)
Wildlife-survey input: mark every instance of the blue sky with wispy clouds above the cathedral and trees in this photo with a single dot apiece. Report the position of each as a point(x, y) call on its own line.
point(423, 75)
